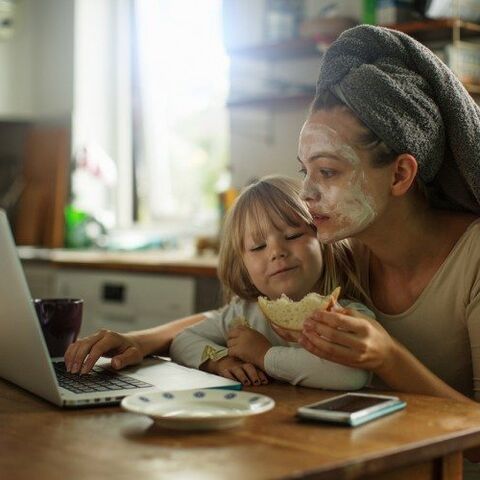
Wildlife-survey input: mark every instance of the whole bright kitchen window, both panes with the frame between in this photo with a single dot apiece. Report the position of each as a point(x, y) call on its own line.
point(151, 81)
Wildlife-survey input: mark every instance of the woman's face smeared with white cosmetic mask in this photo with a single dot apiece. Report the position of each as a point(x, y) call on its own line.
point(335, 186)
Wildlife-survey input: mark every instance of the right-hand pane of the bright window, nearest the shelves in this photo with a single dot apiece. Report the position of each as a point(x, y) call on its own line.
point(180, 83)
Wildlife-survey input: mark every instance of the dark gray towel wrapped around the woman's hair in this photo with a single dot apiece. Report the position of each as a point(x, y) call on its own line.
point(410, 99)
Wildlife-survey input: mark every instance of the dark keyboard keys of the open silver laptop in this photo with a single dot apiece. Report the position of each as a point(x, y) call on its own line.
point(98, 380)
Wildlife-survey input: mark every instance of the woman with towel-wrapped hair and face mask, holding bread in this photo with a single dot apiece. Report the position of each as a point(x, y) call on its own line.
point(391, 159)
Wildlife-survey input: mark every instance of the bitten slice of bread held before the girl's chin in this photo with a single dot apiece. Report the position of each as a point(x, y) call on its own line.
point(290, 315)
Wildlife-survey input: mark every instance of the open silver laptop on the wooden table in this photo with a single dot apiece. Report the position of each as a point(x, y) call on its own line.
point(25, 361)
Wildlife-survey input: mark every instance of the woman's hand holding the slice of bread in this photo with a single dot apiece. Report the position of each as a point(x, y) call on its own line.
point(348, 338)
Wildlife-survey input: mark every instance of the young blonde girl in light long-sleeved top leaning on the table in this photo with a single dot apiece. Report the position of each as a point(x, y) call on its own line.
point(269, 247)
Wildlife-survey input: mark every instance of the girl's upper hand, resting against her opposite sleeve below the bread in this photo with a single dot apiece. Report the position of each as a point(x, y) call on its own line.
point(248, 345)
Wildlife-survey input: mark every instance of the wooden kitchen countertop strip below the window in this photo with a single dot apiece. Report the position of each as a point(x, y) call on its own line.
point(149, 261)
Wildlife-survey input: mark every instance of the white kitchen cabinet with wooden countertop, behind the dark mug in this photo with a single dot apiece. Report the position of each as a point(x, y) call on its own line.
point(124, 296)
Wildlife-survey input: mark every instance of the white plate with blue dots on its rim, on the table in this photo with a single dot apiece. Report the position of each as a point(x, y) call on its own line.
point(204, 409)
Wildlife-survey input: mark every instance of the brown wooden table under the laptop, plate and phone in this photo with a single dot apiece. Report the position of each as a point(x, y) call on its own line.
point(40, 441)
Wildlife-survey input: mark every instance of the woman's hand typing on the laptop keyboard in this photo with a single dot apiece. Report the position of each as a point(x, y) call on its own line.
point(82, 355)
